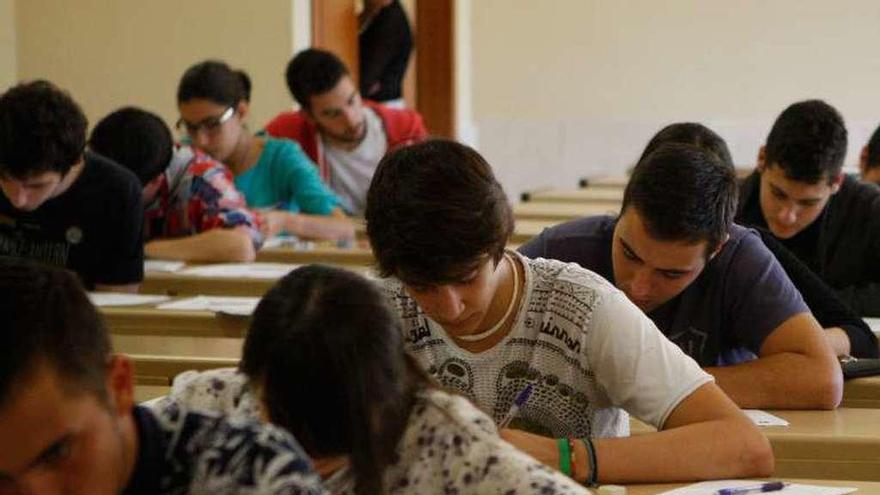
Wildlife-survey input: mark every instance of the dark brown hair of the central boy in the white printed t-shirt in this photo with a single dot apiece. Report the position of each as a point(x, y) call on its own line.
point(434, 211)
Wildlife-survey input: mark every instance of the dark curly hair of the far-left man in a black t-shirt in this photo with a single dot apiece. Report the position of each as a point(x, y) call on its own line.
point(41, 130)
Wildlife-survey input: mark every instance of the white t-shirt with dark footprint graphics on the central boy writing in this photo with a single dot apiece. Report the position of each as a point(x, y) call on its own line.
point(588, 351)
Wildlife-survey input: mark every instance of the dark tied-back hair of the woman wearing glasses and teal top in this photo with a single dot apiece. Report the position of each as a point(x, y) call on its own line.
point(215, 81)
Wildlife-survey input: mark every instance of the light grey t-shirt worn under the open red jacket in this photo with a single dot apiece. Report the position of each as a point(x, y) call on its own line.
point(352, 171)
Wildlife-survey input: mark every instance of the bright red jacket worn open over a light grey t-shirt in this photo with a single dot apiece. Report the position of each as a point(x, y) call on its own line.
point(402, 127)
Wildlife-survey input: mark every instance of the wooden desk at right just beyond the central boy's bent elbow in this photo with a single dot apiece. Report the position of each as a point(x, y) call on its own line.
point(842, 445)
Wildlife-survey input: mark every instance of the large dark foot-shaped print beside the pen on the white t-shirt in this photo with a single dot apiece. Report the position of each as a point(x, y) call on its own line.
point(553, 406)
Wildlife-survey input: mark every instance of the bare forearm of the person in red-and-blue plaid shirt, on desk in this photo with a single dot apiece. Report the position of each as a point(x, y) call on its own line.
point(220, 245)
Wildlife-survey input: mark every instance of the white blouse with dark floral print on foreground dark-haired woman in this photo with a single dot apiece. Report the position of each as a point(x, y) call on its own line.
point(449, 445)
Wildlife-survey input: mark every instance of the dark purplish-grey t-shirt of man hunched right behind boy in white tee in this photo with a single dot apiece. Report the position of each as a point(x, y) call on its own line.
point(723, 316)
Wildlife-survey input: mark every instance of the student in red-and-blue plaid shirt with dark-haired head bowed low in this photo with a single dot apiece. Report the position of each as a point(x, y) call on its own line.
point(192, 210)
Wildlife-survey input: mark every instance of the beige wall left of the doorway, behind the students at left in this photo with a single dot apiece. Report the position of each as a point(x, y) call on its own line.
point(109, 54)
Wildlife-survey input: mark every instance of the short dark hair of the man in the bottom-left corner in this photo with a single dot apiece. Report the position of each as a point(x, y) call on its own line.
point(47, 318)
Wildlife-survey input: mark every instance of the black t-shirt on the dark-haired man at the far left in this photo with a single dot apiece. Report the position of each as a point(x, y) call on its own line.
point(94, 228)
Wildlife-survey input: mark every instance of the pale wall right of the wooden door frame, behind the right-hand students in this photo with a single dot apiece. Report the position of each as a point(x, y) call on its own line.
point(579, 86)
